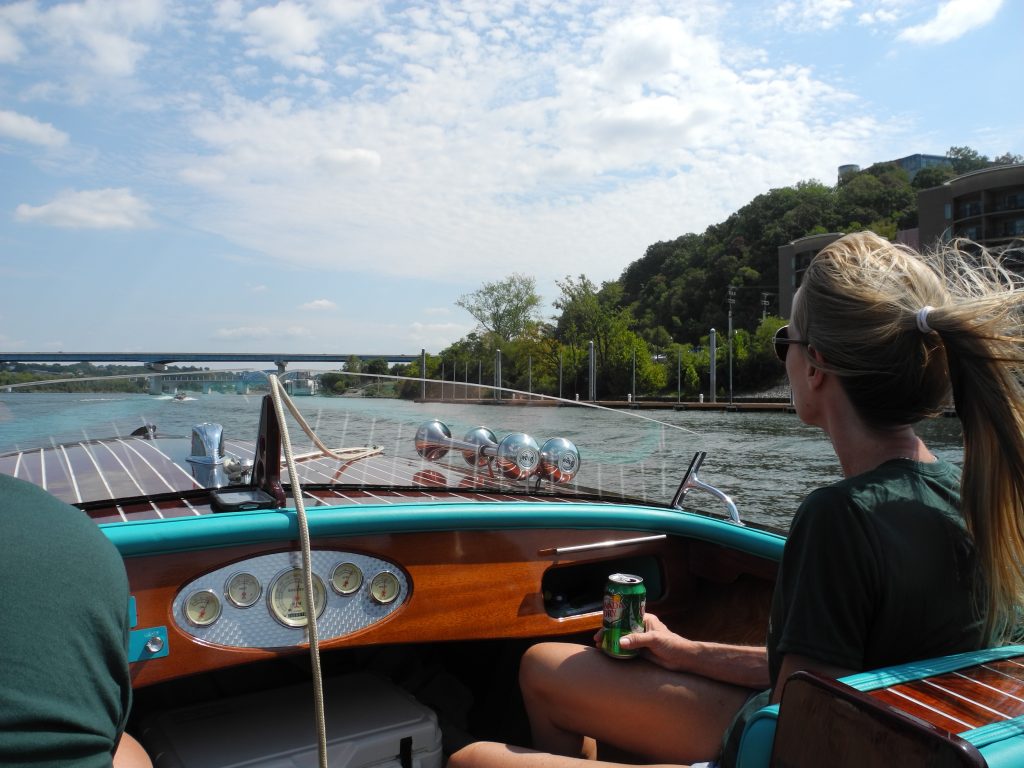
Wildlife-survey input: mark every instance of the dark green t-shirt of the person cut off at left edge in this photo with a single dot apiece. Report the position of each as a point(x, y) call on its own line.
point(65, 687)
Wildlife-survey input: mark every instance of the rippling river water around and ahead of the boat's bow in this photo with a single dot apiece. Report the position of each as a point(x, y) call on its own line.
point(767, 462)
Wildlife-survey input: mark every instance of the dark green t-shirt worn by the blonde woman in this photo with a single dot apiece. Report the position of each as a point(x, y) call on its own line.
point(878, 570)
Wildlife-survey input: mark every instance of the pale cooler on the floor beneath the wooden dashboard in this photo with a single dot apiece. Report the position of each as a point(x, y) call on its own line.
point(370, 723)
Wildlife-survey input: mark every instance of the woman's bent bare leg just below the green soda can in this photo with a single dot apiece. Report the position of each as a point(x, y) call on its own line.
point(576, 692)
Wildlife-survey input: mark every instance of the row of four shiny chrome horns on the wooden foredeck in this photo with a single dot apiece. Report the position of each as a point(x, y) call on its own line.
point(518, 456)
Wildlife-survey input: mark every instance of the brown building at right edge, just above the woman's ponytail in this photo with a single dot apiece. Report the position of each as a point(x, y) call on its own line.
point(986, 206)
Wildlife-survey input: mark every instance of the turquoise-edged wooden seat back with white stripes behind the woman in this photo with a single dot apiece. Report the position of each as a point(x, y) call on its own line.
point(964, 710)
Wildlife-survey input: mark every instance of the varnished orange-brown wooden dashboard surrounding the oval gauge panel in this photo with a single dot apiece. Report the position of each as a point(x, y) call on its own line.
point(468, 585)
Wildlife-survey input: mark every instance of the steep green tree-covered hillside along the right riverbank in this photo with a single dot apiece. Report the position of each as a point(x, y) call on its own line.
point(653, 324)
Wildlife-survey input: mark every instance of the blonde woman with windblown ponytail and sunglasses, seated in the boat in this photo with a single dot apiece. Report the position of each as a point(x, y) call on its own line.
point(907, 558)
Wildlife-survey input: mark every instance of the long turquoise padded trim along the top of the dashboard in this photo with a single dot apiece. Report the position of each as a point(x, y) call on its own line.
point(233, 529)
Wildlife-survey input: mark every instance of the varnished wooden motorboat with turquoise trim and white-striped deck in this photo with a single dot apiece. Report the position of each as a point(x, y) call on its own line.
point(433, 572)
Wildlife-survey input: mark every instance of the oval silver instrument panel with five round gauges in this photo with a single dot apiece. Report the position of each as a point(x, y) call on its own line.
point(262, 603)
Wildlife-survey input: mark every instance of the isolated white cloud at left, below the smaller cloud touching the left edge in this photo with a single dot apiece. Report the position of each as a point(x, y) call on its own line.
point(92, 209)
